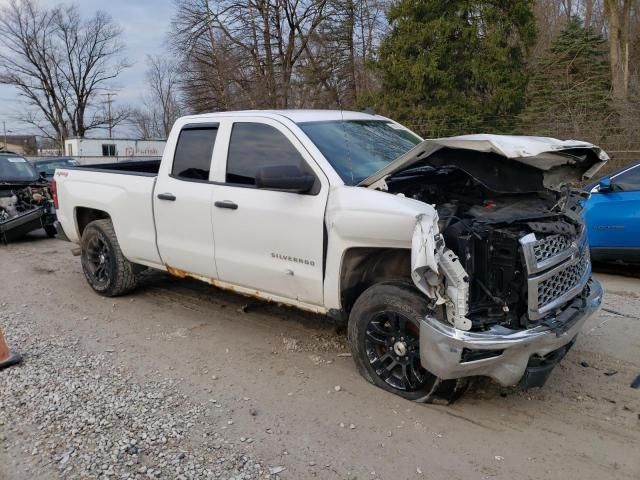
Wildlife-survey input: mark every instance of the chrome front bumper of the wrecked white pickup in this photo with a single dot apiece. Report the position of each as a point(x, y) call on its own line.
point(501, 353)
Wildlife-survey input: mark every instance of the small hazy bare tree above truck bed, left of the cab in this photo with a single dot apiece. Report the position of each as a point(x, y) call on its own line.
point(161, 104)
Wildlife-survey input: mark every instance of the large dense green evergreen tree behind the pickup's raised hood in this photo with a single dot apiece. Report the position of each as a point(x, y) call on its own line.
point(452, 67)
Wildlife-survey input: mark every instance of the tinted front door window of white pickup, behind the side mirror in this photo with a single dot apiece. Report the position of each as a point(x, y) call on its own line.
point(256, 145)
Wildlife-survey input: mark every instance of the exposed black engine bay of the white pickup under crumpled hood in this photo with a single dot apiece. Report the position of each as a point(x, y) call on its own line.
point(485, 228)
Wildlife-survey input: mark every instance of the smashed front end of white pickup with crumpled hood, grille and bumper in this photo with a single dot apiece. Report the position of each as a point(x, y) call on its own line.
point(506, 263)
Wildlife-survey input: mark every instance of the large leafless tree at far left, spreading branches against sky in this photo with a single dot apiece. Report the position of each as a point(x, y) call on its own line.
point(59, 63)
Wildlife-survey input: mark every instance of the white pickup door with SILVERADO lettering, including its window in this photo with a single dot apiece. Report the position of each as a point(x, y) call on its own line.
point(268, 240)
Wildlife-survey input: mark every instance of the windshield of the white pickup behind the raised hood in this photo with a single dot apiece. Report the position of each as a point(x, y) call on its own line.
point(357, 149)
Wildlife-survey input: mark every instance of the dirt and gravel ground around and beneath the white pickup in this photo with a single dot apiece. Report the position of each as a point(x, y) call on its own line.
point(144, 386)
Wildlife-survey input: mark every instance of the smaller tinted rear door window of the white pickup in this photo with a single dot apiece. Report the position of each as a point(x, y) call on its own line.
point(192, 159)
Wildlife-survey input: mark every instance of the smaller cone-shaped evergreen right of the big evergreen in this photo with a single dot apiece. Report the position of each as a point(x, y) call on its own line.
point(569, 93)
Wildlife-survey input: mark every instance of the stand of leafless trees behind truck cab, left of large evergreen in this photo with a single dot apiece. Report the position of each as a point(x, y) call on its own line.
point(277, 53)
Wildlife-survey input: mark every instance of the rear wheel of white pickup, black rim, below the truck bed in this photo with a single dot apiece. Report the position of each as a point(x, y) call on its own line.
point(105, 267)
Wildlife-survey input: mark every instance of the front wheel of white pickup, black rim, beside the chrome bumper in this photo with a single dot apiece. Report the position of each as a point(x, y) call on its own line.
point(384, 331)
